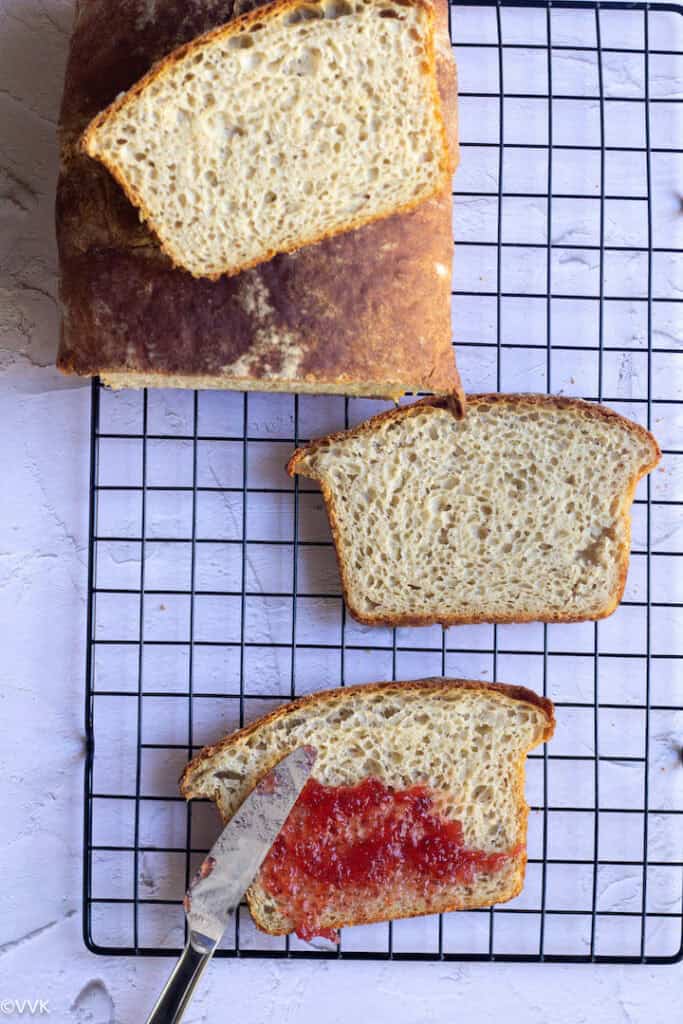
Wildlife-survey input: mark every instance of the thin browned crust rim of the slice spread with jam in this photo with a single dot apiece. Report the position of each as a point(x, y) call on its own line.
point(196, 781)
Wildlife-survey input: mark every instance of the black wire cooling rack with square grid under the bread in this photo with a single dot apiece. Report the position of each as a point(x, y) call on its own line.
point(214, 590)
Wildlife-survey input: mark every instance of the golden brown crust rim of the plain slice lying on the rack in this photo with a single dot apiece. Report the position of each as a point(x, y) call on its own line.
point(558, 402)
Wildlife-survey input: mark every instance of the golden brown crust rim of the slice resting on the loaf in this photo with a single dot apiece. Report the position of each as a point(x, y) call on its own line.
point(235, 27)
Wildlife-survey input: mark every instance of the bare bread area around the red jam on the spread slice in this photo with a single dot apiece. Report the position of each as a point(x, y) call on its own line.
point(466, 742)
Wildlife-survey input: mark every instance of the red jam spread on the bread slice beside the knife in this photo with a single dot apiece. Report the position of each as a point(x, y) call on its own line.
point(350, 842)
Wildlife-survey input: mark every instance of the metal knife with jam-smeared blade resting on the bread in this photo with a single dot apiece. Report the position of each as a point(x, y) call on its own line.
point(228, 872)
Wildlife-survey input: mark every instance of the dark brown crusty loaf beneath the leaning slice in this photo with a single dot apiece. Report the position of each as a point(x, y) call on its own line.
point(365, 313)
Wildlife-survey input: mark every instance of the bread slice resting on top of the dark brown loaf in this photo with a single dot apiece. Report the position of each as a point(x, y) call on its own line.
point(286, 126)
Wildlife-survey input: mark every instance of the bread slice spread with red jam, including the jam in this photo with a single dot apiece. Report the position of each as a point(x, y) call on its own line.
point(454, 747)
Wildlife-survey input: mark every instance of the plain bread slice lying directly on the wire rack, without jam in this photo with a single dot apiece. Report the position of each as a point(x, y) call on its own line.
point(519, 513)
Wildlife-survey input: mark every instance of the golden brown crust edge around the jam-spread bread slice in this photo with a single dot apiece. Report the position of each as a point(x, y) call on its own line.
point(327, 698)
